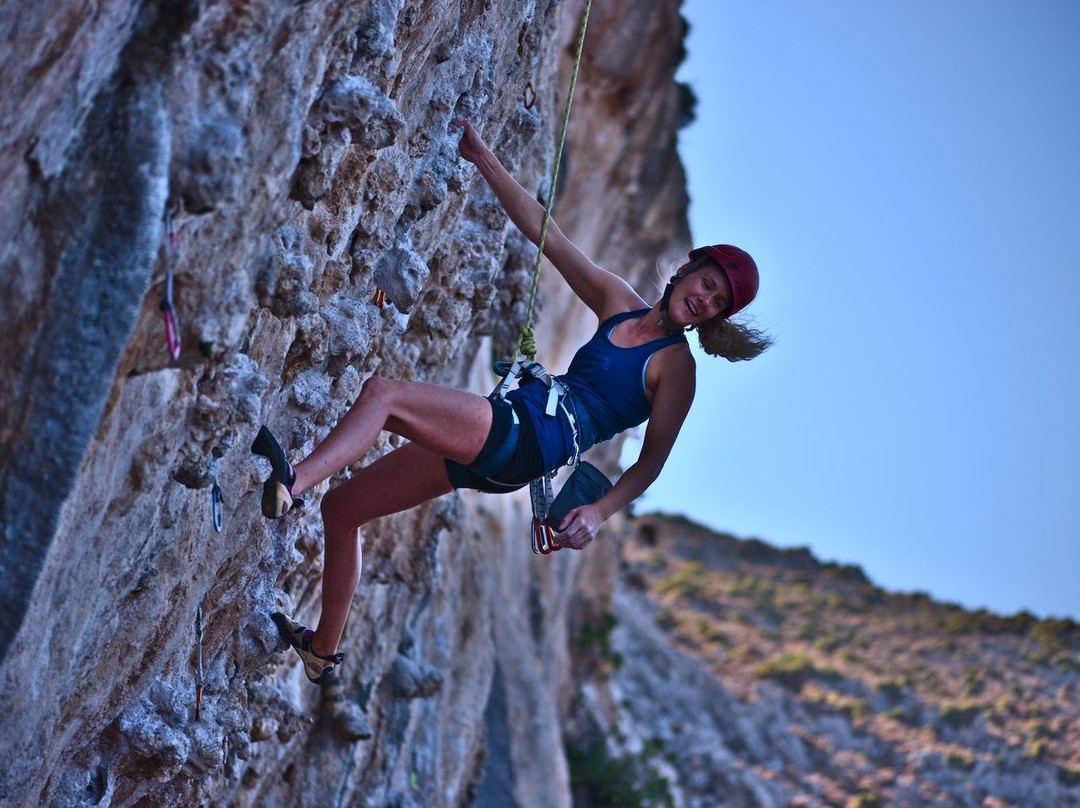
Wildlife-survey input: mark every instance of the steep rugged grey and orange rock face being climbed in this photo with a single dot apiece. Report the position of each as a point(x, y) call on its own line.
point(279, 161)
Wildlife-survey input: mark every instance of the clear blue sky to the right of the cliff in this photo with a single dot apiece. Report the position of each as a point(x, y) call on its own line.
point(907, 176)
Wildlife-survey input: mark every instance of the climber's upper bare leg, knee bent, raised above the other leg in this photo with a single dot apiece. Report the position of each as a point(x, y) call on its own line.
point(449, 423)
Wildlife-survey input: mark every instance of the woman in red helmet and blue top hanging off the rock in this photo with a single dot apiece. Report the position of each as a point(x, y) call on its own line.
point(638, 367)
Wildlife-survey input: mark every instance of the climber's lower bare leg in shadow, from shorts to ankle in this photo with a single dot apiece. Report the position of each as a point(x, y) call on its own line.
point(396, 482)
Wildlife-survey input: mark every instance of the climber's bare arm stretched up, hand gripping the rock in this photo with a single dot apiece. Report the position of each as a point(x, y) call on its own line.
point(600, 290)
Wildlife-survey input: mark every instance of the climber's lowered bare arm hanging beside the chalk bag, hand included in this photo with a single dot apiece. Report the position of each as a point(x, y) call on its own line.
point(670, 406)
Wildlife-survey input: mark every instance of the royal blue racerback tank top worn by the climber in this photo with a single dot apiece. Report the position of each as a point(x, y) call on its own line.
point(607, 393)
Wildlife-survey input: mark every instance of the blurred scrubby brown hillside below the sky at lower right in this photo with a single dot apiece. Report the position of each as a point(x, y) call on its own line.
point(745, 676)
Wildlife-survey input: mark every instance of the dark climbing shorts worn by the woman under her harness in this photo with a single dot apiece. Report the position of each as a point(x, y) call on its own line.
point(510, 459)
